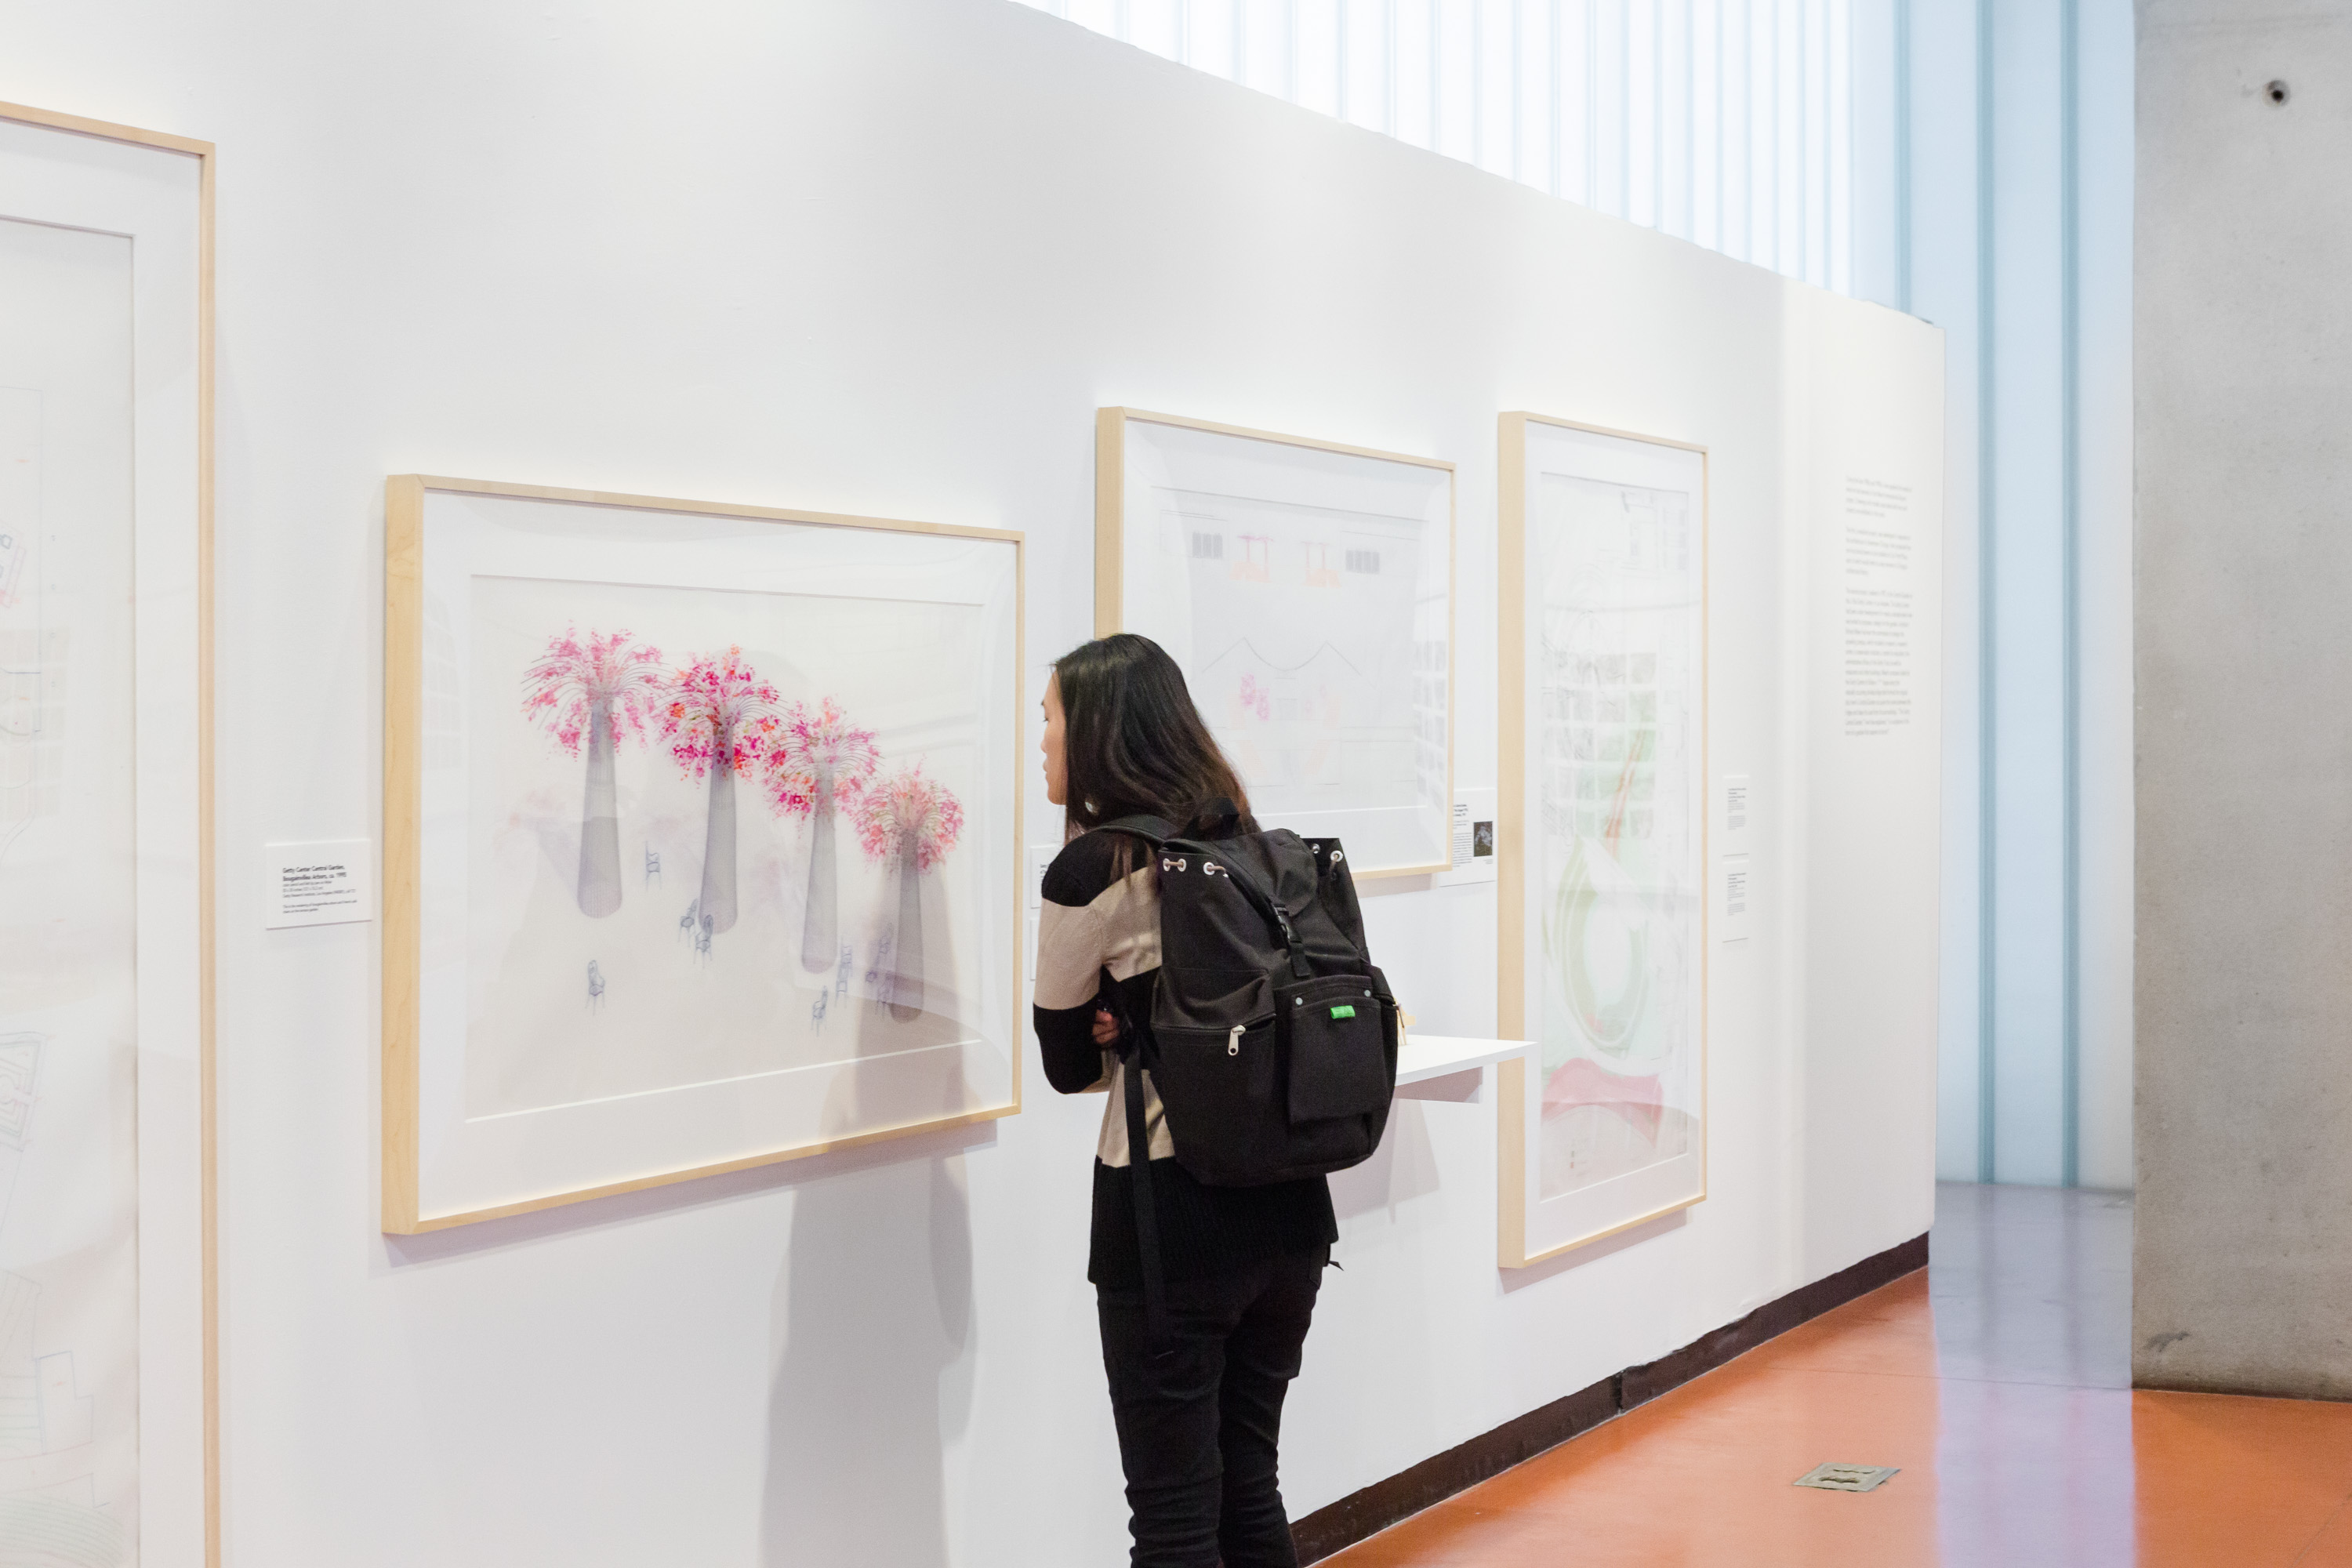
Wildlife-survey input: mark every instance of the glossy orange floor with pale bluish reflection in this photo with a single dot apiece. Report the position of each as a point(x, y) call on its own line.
point(1996, 1381)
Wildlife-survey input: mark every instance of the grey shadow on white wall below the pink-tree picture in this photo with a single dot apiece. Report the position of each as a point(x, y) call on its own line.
point(874, 1362)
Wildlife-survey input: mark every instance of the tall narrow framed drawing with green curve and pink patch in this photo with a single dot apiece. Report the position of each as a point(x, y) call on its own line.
point(1603, 833)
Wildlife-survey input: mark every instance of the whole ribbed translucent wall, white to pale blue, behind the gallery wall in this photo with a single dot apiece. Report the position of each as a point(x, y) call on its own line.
point(1967, 161)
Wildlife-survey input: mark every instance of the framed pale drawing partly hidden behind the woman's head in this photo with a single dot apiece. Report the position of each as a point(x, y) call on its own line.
point(1309, 596)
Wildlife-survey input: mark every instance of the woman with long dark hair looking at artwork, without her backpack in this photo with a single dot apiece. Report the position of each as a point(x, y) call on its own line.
point(1198, 1426)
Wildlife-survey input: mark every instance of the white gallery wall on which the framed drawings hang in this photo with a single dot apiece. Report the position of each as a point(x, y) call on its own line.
point(888, 260)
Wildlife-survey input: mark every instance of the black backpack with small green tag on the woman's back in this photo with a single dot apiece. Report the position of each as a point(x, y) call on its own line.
point(1274, 1040)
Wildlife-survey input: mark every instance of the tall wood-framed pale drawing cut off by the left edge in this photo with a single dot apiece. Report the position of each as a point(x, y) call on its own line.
point(107, 1325)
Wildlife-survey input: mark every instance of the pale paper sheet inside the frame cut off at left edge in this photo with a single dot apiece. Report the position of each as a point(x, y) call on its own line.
point(69, 1273)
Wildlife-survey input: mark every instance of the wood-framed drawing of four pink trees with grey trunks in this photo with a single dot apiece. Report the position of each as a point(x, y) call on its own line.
point(702, 840)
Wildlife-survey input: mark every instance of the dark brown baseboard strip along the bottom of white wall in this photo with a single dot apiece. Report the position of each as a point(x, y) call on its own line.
point(1384, 1503)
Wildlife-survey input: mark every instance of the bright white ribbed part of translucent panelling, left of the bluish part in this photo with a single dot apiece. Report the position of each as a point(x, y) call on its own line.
point(1718, 121)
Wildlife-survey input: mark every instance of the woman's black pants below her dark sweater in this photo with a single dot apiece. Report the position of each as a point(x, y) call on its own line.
point(1198, 1428)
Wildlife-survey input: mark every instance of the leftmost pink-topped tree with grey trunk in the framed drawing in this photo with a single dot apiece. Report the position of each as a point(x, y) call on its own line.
point(596, 692)
